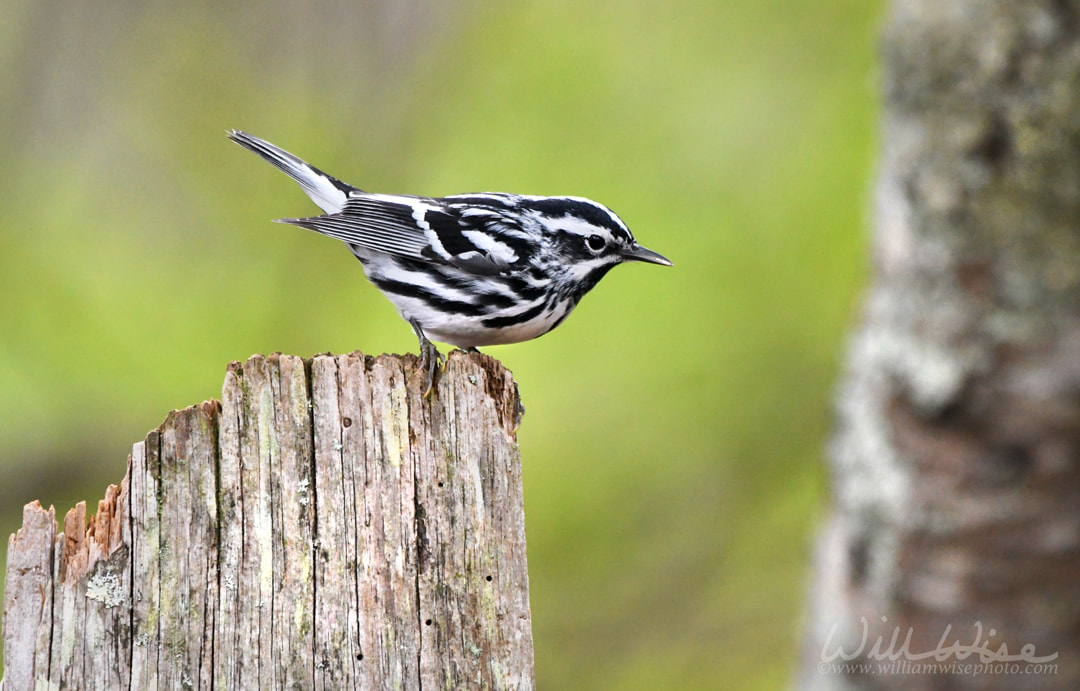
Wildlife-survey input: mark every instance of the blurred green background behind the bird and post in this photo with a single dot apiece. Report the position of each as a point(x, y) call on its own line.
point(677, 423)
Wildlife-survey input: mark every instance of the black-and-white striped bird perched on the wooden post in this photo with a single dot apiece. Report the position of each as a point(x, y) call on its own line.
point(469, 270)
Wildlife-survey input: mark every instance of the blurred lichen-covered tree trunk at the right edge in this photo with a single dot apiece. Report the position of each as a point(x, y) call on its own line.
point(956, 465)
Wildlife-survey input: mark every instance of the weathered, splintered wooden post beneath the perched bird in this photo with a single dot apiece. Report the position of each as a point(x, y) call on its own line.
point(325, 526)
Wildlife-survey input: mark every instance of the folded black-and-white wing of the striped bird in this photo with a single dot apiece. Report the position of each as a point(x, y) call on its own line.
point(478, 240)
